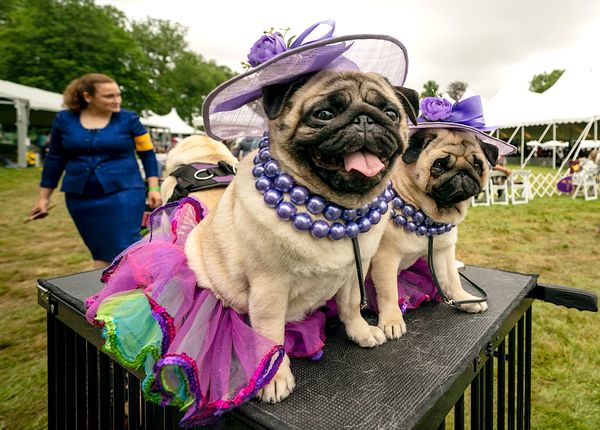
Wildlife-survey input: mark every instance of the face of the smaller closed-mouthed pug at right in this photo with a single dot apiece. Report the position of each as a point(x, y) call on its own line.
point(448, 166)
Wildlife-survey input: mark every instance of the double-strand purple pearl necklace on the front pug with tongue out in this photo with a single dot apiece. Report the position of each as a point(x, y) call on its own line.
point(281, 193)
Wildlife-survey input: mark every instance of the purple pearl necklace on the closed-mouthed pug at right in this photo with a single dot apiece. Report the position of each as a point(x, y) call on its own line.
point(414, 220)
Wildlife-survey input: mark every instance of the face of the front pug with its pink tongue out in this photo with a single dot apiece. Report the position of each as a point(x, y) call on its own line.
point(340, 132)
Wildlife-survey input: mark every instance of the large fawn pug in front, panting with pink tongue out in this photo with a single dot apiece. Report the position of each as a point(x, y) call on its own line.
point(339, 134)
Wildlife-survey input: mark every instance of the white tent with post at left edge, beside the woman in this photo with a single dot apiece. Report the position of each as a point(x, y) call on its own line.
point(31, 106)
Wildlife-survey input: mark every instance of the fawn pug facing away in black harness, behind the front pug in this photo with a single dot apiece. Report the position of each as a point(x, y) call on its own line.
point(196, 149)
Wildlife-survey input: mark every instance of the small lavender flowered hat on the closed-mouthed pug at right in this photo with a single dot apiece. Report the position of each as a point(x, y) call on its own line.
point(467, 115)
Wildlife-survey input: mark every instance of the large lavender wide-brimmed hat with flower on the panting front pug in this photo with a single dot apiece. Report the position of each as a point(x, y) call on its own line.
point(234, 108)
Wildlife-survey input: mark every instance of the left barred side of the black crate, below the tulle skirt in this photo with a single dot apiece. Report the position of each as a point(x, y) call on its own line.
point(89, 390)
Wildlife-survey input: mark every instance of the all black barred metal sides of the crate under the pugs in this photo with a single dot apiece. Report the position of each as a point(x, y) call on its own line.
point(89, 390)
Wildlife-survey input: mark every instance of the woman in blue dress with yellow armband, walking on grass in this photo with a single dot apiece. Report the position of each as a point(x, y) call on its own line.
point(95, 142)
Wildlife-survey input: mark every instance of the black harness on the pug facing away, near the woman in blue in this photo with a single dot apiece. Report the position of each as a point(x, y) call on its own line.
point(201, 176)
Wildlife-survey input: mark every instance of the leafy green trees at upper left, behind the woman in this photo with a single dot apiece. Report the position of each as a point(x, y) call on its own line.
point(48, 43)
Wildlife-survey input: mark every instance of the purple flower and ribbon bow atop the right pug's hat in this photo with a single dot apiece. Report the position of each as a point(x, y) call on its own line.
point(467, 112)
